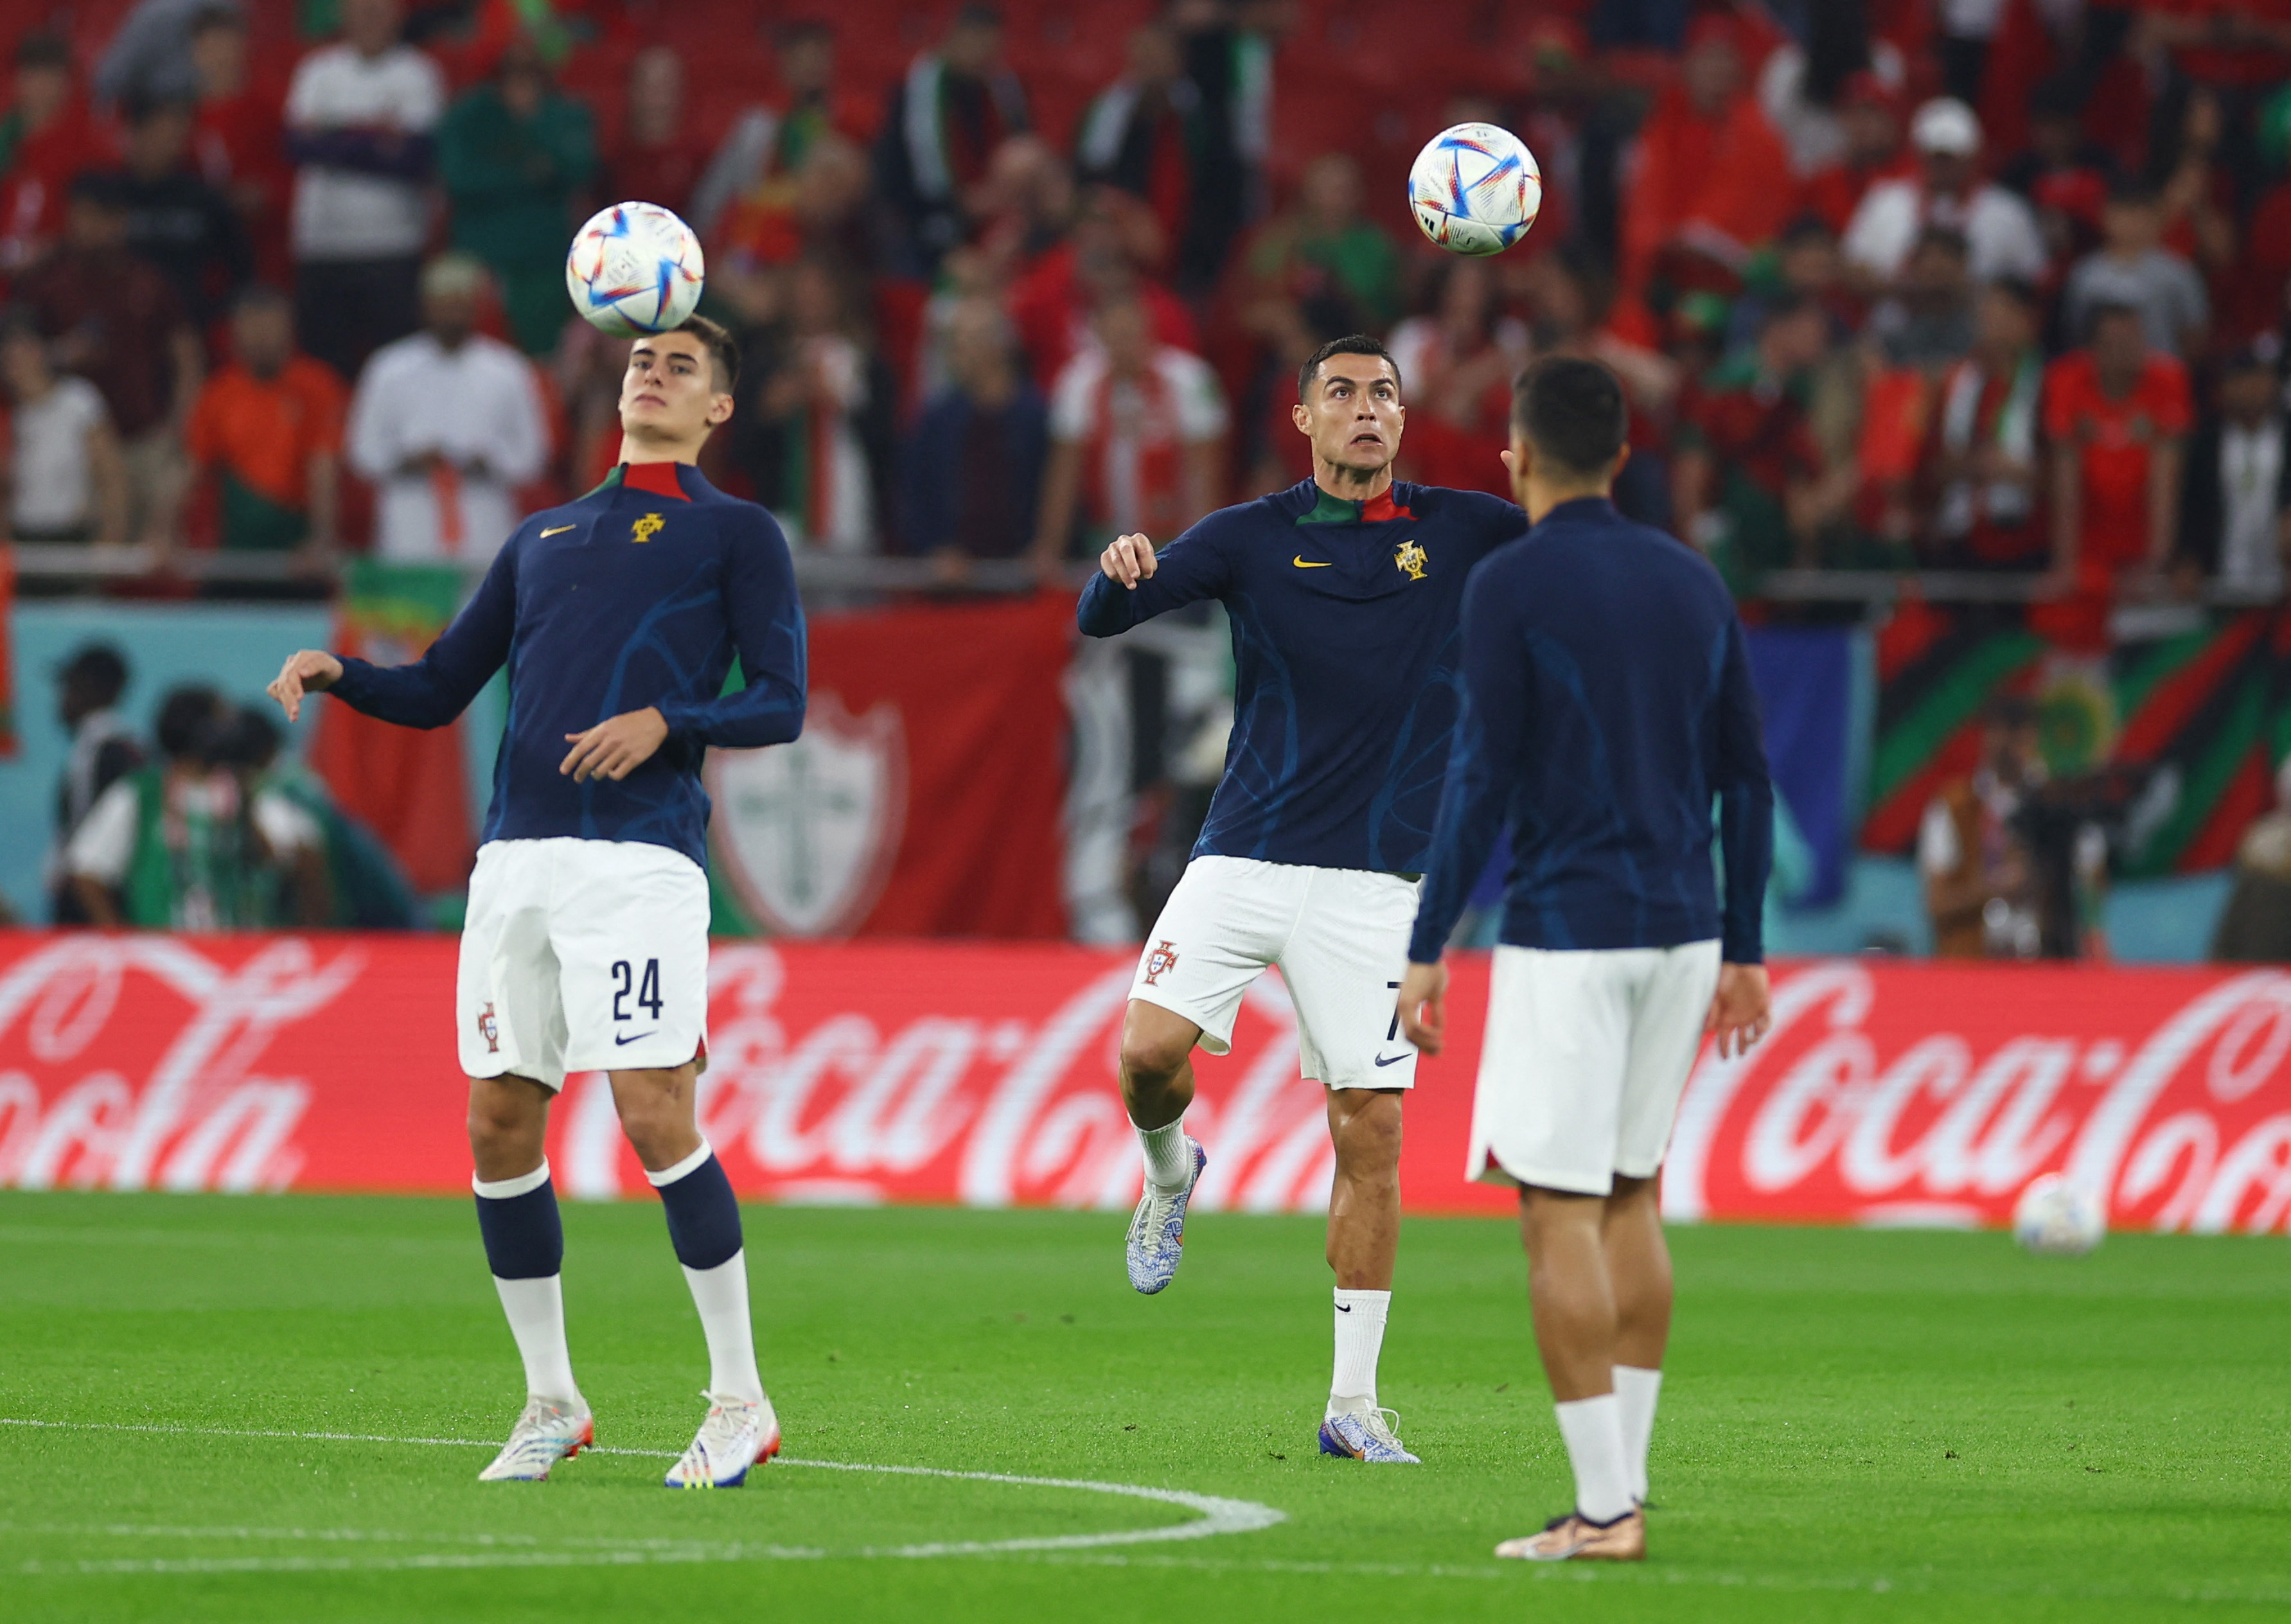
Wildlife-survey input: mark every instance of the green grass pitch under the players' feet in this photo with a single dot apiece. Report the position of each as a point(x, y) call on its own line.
point(1857, 1426)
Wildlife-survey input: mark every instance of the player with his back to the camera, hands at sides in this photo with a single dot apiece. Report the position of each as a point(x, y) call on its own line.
point(1607, 702)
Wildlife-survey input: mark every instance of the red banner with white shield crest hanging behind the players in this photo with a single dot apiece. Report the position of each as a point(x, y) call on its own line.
point(927, 791)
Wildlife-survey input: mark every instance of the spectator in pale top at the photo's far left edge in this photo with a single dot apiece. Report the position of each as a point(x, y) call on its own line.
point(65, 480)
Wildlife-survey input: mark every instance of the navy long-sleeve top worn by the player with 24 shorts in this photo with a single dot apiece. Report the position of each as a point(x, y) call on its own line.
point(638, 594)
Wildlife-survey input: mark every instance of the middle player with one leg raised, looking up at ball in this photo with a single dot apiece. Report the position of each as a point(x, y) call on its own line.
point(1344, 601)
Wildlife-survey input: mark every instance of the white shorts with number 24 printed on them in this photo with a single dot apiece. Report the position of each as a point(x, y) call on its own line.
point(583, 956)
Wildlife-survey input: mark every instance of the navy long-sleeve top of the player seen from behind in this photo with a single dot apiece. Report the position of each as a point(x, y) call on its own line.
point(1607, 700)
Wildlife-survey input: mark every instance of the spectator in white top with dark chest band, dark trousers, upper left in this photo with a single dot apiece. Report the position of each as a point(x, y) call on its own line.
point(359, 127)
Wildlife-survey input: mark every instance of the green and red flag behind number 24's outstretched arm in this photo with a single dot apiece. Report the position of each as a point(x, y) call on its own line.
point(407, 785)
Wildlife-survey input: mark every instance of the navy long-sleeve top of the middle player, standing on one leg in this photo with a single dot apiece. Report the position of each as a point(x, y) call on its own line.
point(1346, 663)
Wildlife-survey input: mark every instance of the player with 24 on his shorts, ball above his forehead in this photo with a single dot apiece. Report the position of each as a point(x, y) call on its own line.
point(588, 936)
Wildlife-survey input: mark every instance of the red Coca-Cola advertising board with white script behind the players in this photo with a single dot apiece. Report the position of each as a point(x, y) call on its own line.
point(984, 1075)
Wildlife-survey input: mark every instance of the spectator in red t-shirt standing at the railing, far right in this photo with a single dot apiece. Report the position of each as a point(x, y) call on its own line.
point(2116, 416)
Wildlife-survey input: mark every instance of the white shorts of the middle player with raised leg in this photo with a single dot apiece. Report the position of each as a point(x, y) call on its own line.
point(1339, 936)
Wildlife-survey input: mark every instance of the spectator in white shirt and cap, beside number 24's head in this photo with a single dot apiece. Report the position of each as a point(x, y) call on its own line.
point(448, 427)
